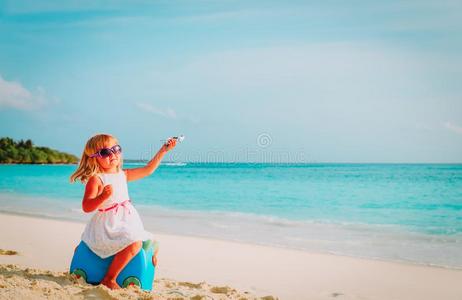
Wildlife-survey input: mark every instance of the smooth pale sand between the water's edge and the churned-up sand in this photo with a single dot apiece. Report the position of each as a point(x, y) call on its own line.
point(261, 270)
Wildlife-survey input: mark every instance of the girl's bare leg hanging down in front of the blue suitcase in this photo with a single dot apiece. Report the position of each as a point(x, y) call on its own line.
point(120, 260)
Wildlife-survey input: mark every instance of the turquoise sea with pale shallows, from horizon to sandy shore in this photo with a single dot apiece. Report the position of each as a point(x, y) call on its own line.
point(397, 212)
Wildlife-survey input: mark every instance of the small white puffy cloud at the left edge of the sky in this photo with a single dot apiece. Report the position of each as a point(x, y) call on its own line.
point(14, 95)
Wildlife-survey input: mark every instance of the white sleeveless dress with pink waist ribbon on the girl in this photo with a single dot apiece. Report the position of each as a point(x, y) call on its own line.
point(116, 223)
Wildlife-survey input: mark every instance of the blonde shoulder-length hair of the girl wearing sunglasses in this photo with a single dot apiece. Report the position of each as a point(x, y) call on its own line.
point(89, 166)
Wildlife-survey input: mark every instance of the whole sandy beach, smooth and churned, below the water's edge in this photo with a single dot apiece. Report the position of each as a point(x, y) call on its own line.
point(210, 269)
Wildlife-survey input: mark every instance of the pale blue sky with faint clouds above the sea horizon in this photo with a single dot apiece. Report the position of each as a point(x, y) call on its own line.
point(306, 81)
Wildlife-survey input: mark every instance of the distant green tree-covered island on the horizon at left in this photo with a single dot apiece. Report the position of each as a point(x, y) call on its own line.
point(24, 152)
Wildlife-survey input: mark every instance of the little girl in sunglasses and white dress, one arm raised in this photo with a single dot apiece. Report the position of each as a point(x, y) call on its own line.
point(116, 227)
